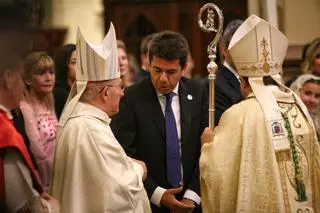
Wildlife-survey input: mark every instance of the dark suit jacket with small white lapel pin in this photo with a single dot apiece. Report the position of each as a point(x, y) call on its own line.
point(140, 128)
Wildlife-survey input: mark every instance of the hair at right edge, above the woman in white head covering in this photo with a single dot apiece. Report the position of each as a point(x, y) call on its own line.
point(310, 55)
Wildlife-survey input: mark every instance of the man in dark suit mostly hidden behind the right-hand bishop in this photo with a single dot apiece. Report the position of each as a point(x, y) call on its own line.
point(227, 83)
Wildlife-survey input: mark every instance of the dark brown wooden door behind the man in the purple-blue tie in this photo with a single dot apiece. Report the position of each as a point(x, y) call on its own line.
point(133, 19)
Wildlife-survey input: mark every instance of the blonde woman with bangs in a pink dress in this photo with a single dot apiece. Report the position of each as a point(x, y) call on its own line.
point(37, 108)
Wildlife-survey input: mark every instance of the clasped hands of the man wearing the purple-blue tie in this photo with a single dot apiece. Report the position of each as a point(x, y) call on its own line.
point(168, 200)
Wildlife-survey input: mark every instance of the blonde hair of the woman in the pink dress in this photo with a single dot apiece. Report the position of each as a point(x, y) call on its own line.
point(33, 62)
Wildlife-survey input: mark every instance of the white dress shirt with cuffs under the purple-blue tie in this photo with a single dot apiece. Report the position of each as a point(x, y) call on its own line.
point(175, 104)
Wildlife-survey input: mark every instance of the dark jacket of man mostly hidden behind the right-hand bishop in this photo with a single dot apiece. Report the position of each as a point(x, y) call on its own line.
point(227, 91)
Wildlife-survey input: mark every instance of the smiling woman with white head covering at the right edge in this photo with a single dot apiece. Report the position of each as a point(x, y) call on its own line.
point(307, 86)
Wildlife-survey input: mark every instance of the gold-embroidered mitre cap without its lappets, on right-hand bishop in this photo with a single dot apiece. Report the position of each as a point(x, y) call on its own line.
point(257, 48)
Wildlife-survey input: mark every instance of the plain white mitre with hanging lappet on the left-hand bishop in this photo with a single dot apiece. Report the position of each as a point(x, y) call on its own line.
point(95, 62)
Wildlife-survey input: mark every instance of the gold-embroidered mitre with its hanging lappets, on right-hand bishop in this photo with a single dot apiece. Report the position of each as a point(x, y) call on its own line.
point(257, 50)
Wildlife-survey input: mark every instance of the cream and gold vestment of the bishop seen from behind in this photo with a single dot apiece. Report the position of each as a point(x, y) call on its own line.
point(241, 172)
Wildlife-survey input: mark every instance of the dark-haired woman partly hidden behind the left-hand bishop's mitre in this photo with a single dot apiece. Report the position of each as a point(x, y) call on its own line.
point(65, 62)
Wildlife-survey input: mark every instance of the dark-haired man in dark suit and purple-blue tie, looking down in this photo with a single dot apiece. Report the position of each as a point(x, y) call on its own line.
point(160, 122)
